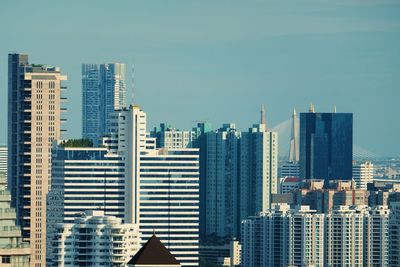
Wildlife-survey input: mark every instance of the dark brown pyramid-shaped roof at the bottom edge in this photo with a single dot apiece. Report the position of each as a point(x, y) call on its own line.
point(153, 252)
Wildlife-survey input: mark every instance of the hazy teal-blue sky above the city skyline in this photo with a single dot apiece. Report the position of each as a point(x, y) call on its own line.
point(219, 61)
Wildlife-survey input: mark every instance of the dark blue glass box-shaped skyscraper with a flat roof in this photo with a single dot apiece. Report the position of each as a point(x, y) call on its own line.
point(326, 145)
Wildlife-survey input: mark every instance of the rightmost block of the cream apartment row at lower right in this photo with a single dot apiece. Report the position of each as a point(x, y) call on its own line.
point(357, 236)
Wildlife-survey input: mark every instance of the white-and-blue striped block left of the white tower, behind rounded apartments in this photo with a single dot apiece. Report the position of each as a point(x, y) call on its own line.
point(84, 179)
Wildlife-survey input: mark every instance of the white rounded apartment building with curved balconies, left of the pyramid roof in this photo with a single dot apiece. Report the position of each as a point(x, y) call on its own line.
point(94, 239)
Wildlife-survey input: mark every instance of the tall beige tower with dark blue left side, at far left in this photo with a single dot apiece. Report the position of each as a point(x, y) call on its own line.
point(34, 122)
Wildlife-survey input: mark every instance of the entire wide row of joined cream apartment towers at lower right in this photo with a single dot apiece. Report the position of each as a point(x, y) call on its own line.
point(346, 236)
